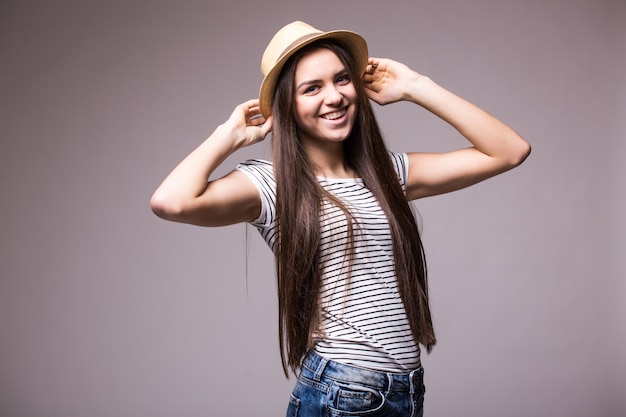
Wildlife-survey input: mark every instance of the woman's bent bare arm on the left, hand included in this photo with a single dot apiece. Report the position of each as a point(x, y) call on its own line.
point(187, 195)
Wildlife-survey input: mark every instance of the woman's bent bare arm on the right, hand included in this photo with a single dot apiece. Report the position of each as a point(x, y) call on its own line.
point(495, 147)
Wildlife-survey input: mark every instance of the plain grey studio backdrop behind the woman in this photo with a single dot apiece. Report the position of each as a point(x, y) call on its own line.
point(106, 310)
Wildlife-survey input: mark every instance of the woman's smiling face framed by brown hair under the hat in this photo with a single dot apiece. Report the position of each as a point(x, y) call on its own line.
point(325, 98)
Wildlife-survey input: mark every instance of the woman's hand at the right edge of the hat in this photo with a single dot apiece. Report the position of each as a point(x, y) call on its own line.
point(388, 81)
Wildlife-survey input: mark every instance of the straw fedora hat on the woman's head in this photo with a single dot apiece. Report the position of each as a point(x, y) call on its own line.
point(293, 37)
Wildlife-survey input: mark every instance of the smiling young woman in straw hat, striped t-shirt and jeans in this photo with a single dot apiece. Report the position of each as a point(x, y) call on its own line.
point(334, 207)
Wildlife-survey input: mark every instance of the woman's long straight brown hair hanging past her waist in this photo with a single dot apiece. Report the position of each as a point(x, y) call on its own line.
point(299, 197)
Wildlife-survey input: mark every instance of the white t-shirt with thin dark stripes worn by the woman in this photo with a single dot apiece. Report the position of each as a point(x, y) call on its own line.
point(363, 320)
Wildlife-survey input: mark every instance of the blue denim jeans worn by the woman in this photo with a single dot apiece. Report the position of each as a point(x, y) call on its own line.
point(330, 389)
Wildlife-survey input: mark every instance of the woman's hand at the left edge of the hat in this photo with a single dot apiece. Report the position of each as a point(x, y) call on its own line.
point(247, 124)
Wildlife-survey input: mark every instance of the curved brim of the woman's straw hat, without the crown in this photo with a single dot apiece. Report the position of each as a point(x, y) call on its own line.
point(355, 43)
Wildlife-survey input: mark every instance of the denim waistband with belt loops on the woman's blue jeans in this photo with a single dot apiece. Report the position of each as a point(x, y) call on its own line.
point(316, 367)
